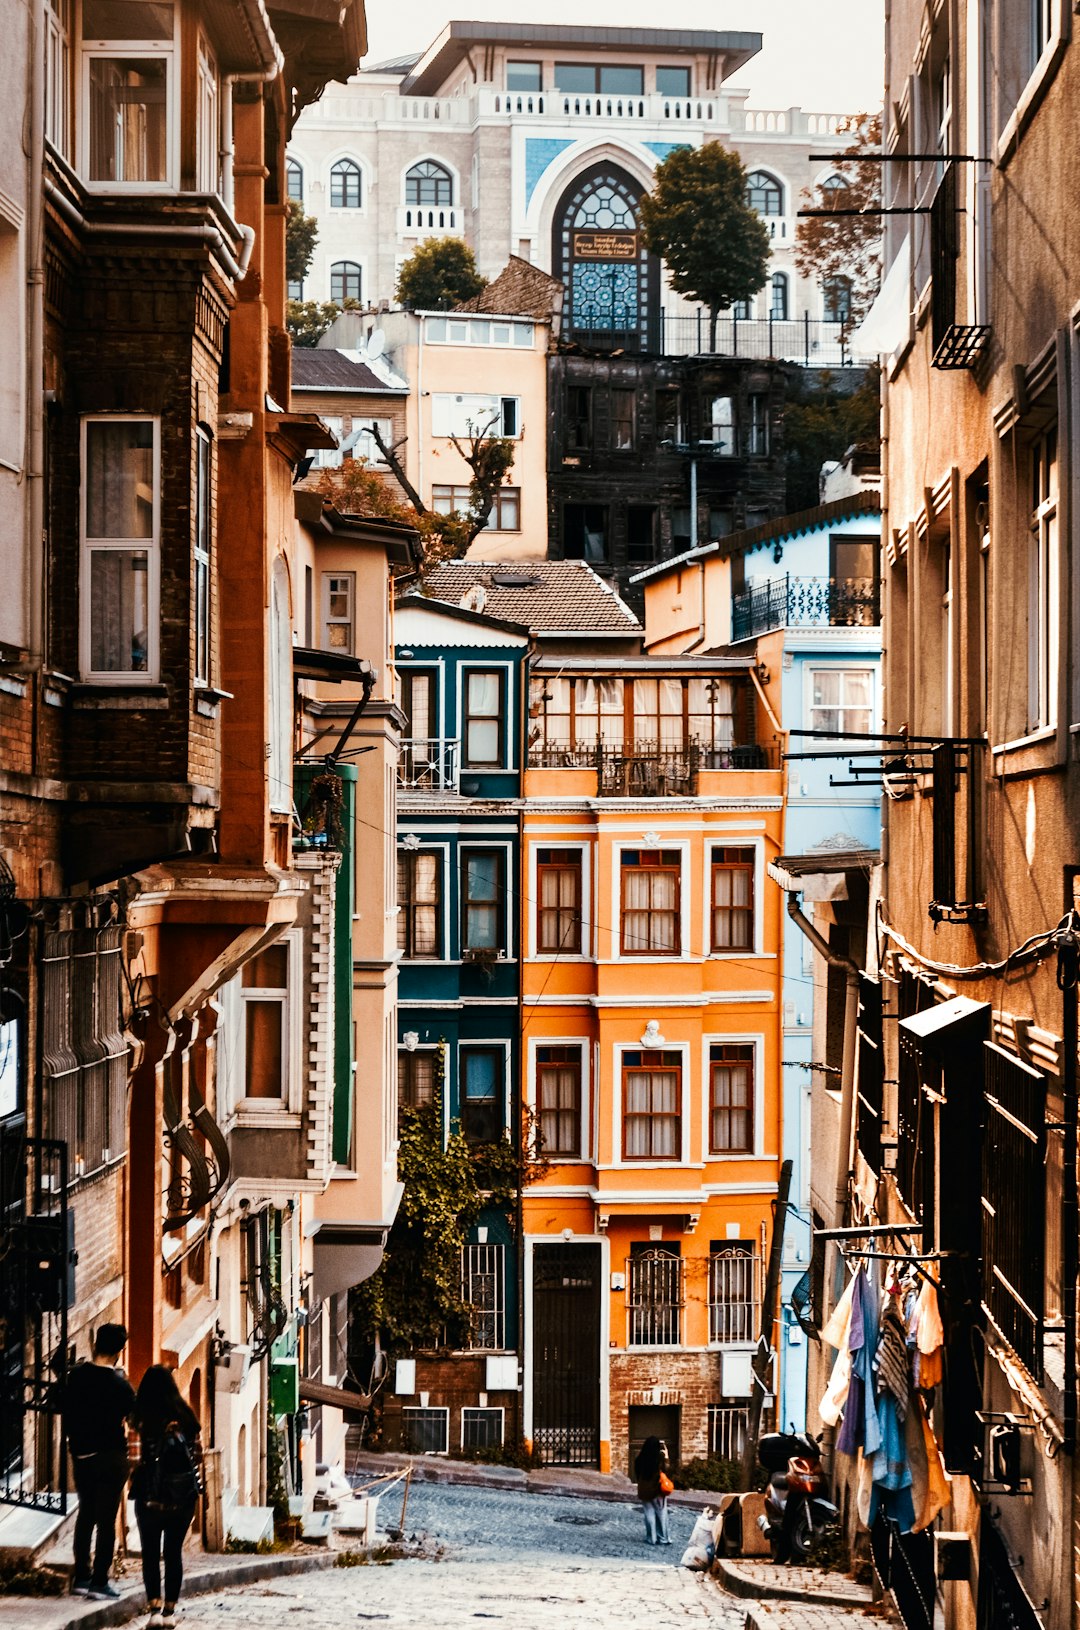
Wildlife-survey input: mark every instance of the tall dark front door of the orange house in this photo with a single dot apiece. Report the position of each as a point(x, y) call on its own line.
point(566, 1354)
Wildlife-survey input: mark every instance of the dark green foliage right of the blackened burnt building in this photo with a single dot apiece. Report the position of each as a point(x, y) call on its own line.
point(822, 420)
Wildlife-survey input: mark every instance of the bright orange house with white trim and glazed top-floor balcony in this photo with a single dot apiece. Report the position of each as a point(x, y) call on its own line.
point(652, 1041)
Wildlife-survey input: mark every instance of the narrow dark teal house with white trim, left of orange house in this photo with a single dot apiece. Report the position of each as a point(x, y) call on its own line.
point(462, 690)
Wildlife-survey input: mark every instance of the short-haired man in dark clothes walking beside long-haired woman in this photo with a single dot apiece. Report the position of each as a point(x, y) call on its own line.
point(97, 1403)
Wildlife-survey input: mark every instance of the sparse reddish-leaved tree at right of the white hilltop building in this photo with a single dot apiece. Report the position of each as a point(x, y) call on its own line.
point(846, 247)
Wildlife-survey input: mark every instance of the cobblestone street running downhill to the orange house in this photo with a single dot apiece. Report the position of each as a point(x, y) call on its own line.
point(525, 1561)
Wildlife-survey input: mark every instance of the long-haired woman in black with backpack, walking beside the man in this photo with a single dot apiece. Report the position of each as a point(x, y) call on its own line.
point(165, 1486)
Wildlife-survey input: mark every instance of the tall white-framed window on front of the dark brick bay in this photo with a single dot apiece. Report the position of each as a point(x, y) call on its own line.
point(121, 540)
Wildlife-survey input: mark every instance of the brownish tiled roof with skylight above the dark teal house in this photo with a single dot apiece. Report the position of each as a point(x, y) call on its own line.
point(543, 596)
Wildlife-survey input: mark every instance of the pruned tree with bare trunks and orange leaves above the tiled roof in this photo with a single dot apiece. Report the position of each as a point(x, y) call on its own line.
point(358, 490)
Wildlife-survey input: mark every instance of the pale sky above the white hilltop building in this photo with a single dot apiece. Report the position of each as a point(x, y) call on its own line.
point(825, 56)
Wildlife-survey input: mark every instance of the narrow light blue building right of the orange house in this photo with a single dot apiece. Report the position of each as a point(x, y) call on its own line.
point(806, 591)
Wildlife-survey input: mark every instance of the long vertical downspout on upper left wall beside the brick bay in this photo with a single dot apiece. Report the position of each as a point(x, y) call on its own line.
point(35, 588)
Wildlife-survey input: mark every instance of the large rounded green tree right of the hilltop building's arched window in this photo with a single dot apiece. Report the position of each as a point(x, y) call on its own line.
point(698, 219)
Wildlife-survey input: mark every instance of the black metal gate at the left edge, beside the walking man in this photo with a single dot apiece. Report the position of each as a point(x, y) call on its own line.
point(38, 1262)
